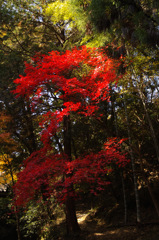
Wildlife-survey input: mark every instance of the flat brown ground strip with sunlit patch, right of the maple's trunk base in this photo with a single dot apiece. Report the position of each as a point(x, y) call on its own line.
point(94, 228)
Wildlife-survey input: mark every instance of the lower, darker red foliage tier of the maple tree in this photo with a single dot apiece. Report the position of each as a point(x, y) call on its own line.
point(56, 174)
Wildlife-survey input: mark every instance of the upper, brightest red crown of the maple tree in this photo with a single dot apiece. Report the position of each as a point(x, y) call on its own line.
point(59, 76)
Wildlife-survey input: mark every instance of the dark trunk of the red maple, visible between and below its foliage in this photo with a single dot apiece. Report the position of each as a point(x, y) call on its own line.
point(71, 218)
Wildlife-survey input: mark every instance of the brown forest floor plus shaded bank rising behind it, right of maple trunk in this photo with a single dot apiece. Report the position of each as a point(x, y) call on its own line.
point(96, 227)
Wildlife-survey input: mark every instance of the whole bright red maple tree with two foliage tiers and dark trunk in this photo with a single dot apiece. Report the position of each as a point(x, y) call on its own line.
point(63, 86)
